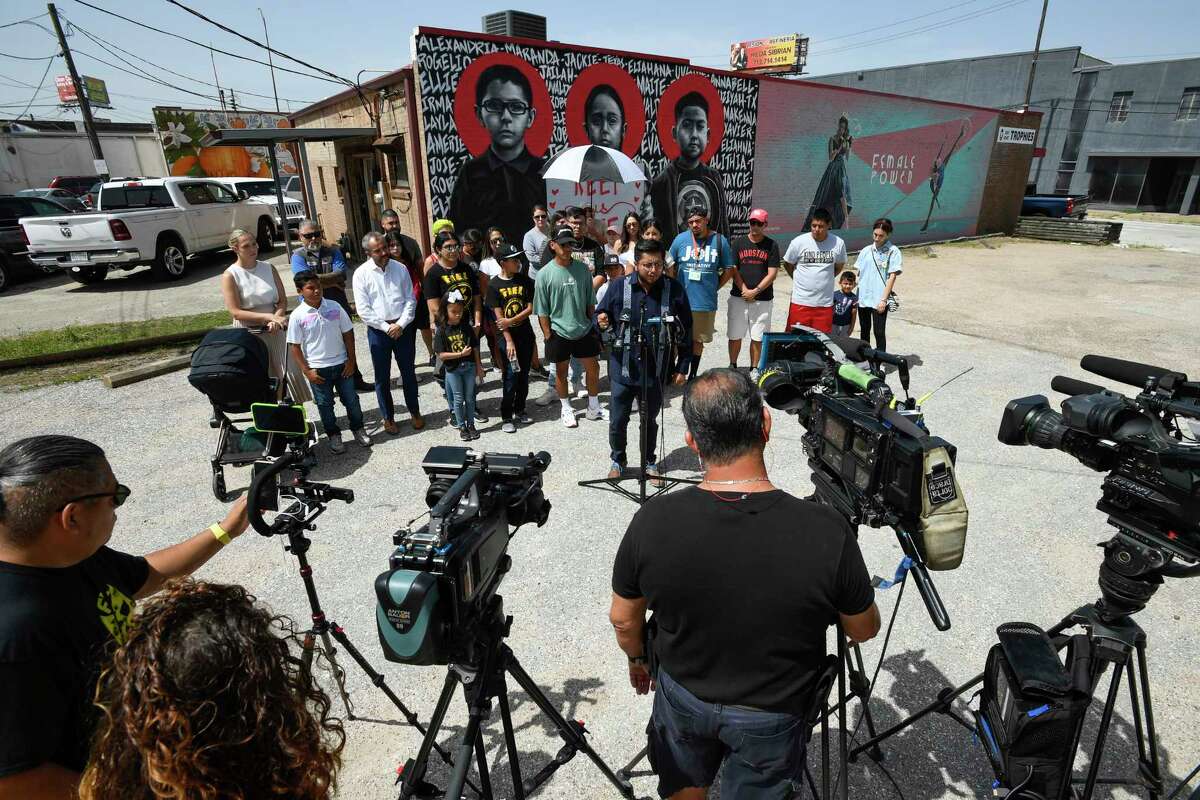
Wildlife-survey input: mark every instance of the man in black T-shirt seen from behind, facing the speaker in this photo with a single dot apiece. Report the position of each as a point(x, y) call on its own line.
point(745, 582)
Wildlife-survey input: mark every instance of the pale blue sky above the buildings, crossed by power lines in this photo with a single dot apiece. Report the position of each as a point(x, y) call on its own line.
point(350, 35)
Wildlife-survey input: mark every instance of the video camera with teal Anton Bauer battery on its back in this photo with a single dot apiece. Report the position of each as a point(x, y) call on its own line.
point(443, 576)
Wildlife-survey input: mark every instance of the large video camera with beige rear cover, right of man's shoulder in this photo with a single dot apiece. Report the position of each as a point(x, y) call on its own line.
point(872, 456)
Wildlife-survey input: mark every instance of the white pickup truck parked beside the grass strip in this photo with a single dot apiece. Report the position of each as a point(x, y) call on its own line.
point(152, 221)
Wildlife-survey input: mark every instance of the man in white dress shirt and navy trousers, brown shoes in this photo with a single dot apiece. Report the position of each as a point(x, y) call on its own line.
point(383, 293)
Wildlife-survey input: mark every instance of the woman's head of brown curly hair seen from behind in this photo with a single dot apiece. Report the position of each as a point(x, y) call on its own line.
point(207, 701)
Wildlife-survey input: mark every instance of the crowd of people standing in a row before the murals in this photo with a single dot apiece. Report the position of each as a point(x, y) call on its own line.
point(547, 310)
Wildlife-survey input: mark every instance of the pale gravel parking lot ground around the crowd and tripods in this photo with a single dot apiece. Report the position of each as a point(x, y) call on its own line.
point(1018, 312)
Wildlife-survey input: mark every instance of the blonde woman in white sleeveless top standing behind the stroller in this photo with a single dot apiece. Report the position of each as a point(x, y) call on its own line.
point(256, 299)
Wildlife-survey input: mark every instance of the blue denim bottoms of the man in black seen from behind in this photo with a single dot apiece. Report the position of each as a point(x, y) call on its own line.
point(764, 751)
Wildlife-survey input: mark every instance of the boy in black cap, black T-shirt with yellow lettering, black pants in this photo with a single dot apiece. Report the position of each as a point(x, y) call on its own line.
point(512, 298)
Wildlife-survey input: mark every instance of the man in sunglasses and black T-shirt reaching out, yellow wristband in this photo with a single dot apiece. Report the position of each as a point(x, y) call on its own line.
point(65, 603)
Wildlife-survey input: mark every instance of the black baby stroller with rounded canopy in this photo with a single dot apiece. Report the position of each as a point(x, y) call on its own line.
point(231, 366)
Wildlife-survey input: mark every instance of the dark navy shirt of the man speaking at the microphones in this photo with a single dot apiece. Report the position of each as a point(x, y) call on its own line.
point(647, 305)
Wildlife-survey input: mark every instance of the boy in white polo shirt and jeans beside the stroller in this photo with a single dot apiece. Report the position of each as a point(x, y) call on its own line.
point(321, 338)
